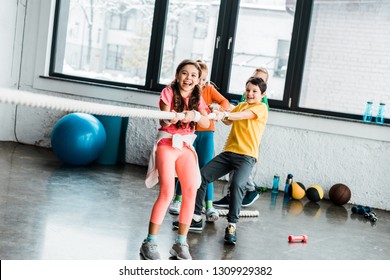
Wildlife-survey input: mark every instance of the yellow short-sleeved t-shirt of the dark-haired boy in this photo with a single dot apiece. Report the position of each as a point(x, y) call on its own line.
point(245, 135)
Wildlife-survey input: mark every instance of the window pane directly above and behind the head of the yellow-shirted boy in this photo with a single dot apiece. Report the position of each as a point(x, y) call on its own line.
point(263, 39)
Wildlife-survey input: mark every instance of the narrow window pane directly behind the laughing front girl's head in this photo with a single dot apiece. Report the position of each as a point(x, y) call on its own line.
point(189, 33)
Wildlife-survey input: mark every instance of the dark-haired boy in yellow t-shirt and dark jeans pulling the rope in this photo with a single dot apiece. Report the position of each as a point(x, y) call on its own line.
point(248, 120)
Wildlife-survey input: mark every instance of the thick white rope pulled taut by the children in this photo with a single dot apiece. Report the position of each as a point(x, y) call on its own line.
point(18, 97)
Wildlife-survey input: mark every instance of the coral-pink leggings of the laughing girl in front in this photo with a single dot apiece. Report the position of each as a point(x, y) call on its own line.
point(169, 159)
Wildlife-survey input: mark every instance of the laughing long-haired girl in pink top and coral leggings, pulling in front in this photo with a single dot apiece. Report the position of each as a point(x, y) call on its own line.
point(174, 155)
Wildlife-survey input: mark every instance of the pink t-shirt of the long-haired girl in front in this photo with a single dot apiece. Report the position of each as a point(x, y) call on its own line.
point(166, 97)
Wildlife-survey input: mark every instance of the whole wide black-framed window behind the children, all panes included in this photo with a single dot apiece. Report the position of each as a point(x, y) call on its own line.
point(324, 57)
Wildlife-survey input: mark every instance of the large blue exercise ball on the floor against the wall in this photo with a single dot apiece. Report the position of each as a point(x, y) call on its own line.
point(78, 138)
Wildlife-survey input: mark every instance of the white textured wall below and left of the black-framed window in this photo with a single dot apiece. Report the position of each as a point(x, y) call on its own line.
point(317, 150)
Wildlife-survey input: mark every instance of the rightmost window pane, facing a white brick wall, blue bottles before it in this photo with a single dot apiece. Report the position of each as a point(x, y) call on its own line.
point(348, 58)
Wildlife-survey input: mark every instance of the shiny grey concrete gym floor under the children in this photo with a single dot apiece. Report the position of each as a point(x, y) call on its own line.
point(49, 210)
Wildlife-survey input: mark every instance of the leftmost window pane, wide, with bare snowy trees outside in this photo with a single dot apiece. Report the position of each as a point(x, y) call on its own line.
point(107, 40)
